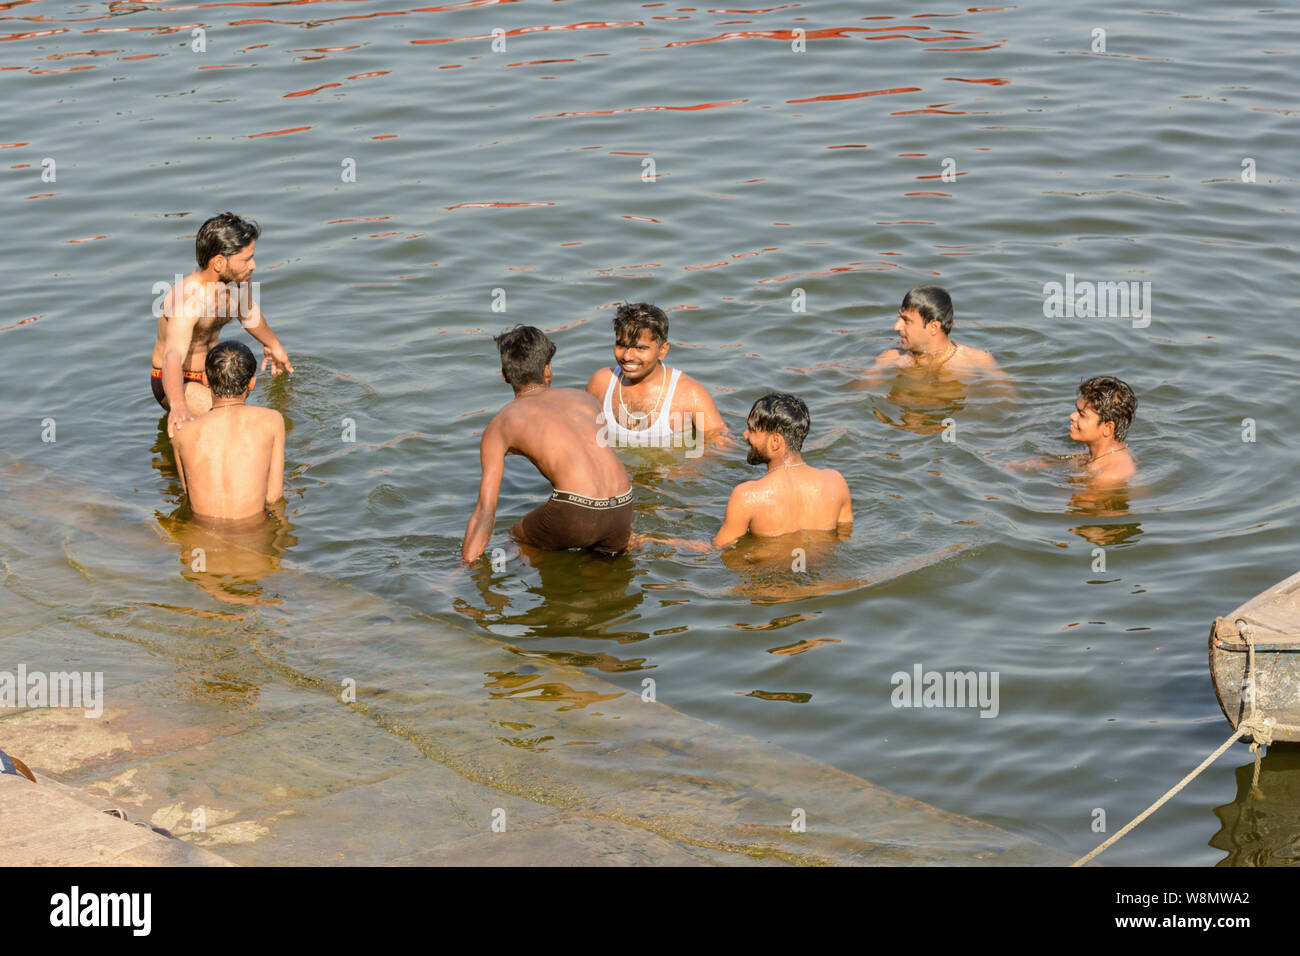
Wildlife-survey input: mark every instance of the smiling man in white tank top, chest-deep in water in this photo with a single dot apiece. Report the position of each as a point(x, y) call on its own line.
point(644, 403)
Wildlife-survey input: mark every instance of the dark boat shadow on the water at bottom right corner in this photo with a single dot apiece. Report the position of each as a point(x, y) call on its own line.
point(1262, 828)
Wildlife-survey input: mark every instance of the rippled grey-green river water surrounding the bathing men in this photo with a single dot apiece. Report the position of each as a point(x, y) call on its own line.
point(690, 157)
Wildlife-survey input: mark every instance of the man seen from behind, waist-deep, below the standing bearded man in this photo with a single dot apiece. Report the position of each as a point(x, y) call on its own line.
point(232, 458)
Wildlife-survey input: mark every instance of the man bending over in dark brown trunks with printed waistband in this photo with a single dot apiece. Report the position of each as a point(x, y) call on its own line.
point(557, 431)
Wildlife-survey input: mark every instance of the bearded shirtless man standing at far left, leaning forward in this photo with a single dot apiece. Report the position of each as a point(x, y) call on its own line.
point(193, 313)
